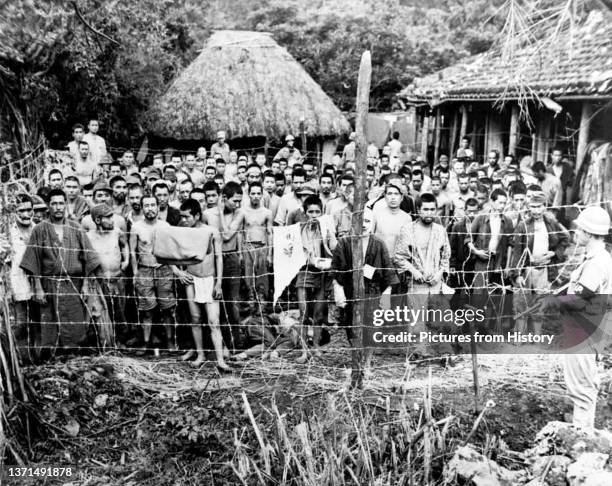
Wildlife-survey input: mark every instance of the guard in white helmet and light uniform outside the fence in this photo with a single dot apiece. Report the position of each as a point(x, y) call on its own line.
point(592, 277)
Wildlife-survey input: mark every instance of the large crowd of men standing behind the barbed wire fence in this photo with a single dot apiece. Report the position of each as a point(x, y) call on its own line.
point(82, 246)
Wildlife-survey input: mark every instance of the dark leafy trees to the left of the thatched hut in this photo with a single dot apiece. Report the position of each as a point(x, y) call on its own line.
point(65, 61)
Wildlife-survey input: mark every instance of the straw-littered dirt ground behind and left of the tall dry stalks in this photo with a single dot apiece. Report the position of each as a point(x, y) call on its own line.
point(122, 420)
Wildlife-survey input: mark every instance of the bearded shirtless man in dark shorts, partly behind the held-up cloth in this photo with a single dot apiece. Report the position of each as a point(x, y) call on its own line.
point(152, 281)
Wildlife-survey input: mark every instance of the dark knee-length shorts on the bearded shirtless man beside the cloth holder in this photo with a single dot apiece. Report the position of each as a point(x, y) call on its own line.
point(154, 288)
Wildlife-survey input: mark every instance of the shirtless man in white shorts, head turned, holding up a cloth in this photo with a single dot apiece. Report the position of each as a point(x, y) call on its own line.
point(203, 286)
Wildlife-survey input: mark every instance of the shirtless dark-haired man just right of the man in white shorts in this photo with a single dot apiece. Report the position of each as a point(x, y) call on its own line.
point(227, 220)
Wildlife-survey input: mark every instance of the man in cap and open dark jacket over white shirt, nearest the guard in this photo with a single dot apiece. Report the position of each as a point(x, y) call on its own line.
point(539, 246)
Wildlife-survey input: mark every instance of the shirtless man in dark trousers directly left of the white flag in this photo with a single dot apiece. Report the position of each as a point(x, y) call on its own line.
point(257, 221)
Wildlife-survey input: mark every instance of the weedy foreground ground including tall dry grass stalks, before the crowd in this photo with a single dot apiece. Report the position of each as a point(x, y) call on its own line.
point(283, 423)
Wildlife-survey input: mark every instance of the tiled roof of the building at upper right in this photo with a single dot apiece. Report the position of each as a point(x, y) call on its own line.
point(578, 65)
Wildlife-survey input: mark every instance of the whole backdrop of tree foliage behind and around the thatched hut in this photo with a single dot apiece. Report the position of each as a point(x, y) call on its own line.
point(64, 61)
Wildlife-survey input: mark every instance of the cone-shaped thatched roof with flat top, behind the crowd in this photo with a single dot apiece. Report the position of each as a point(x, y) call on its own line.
point(246, 84)
